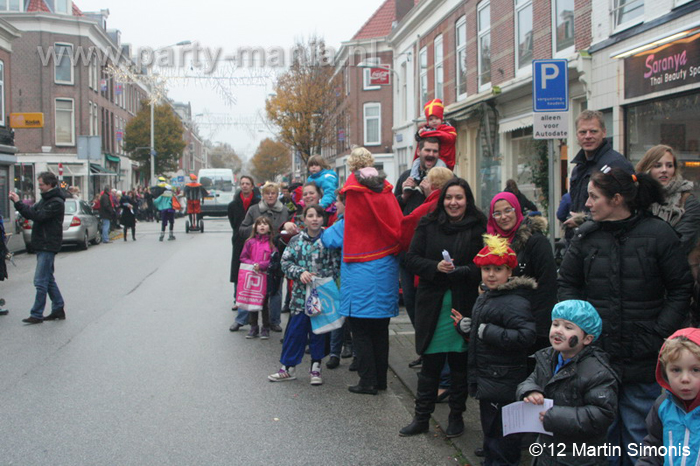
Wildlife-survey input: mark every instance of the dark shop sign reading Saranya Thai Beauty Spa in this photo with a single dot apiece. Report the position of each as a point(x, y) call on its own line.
point(666, 67)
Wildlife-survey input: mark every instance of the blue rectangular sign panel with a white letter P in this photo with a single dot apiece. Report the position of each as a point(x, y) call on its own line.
point(550, 85)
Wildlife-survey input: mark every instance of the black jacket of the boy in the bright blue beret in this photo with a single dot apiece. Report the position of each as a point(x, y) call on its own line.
point(585, 400)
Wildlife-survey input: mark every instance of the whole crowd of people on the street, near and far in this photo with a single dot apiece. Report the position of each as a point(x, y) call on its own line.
point(602, 334)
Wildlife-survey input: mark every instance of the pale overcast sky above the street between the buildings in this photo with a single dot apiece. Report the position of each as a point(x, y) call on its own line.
point(228, 26)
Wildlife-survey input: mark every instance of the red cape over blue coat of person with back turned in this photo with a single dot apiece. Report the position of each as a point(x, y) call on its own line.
point(372, 222)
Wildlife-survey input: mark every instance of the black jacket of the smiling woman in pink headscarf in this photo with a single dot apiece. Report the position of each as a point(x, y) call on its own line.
point(536, 260)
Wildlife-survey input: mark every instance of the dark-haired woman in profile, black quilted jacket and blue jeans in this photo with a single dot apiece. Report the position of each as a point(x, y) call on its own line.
point(630, 266)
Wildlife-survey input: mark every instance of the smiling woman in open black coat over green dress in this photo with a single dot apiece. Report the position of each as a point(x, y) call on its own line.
point(455, 226)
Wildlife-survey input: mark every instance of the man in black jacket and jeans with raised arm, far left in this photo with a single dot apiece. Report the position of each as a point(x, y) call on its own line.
point(47, 235)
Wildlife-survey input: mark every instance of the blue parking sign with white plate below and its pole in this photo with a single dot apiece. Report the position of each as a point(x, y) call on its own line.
point(550, 104)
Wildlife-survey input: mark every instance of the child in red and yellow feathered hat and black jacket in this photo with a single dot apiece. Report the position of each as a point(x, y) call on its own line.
point(500, 331)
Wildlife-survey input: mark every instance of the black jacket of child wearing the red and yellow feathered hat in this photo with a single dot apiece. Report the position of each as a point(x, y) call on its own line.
point(498, 360)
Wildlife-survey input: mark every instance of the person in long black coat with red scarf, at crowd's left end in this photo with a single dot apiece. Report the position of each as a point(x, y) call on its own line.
point(246, 197)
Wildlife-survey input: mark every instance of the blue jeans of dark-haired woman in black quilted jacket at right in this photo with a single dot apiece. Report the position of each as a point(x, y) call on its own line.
point(635, 400)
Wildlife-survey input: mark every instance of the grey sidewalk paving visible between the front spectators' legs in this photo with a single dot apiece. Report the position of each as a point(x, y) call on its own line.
point(401, 352)
